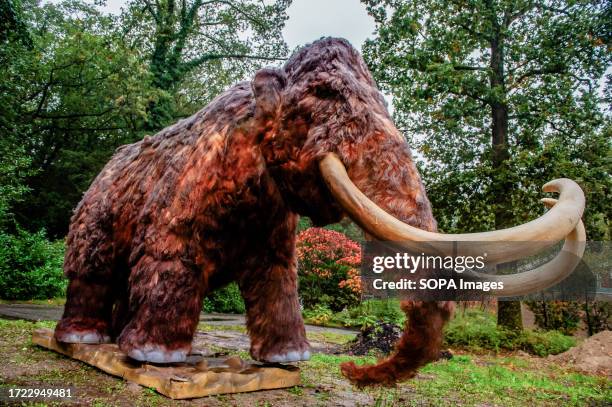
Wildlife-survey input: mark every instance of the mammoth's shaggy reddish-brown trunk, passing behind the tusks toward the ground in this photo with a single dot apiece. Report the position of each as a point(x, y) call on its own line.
point(389, 177)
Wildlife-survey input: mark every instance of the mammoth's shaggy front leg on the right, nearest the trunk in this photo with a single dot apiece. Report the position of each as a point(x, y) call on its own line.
point(274, 320)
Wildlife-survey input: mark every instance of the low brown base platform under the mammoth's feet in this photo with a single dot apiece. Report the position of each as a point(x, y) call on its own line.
point(197, 377)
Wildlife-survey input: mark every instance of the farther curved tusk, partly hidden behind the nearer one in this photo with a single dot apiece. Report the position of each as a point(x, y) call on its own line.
point(546, 275)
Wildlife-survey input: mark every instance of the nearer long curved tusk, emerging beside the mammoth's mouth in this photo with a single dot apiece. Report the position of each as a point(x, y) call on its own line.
point(537, 235)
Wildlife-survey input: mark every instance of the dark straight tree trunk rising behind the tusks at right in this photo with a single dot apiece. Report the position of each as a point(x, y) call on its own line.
point(508, 312)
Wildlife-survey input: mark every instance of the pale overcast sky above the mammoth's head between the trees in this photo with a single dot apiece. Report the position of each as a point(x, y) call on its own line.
point(312, 19)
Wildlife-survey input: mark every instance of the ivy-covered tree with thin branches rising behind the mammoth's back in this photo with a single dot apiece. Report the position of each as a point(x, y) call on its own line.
point(196, 48)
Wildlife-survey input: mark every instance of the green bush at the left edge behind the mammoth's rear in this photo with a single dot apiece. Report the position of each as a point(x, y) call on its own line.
point(31, 267)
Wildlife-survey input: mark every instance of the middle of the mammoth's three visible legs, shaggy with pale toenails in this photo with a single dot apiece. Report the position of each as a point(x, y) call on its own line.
point(165, 304)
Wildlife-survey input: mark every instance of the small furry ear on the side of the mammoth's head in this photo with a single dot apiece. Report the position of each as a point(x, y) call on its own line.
point(267, 87)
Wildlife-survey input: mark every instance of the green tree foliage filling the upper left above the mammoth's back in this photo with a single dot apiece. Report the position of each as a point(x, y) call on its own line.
point(78, 83)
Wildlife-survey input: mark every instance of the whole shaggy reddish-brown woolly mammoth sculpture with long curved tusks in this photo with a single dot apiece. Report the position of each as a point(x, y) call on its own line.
point(216, 198)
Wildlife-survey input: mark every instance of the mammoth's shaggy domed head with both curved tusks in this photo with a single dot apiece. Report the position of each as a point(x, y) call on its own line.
point(332, 147)
